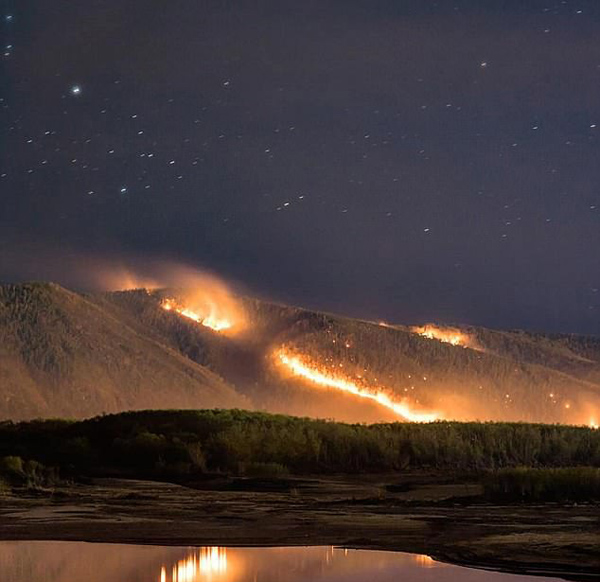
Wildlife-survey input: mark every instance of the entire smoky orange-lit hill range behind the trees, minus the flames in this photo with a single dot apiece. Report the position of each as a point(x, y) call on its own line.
point(67, 354)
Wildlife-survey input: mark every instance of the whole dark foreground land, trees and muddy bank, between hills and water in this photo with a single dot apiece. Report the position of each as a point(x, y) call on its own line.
point(514, 497)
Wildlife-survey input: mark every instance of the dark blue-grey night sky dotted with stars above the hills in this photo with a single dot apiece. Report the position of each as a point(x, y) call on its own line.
point(403, 160)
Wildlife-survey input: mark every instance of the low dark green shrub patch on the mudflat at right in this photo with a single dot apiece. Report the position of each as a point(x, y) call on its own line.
point(542, 484)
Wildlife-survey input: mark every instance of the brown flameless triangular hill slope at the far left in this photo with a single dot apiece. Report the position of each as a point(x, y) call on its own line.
point(62, 355)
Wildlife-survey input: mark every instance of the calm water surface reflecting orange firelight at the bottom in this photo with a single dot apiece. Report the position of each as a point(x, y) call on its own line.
point(79, 562)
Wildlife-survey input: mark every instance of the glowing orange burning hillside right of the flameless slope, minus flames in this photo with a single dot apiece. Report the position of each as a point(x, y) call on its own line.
point(504, 375)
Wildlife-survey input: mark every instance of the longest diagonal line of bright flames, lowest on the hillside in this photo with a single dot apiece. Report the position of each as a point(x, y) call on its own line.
point(325, 378)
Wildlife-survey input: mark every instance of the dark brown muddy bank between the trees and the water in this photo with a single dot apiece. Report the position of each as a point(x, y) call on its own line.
point(449, 522)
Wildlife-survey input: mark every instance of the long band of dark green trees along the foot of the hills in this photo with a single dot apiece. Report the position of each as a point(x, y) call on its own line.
point(180, 443)
